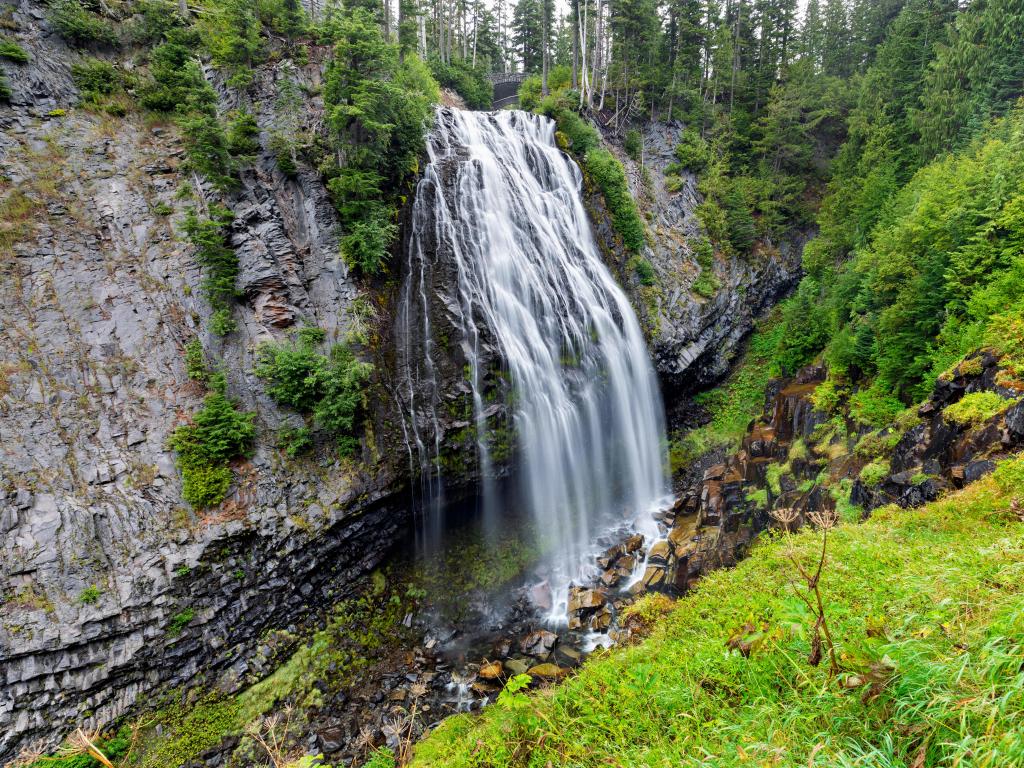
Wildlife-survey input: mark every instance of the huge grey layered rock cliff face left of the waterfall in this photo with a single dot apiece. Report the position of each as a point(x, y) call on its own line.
point(112, 586)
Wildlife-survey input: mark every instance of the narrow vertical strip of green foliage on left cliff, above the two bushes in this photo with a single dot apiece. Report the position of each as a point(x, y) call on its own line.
point(219, 260)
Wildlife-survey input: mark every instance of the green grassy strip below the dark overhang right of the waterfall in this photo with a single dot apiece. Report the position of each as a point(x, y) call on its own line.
point(734, 404)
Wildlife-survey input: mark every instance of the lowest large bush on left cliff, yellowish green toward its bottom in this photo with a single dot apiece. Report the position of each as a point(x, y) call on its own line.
point(218, 434)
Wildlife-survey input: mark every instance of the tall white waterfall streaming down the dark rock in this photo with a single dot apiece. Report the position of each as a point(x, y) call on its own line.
point(500, 209)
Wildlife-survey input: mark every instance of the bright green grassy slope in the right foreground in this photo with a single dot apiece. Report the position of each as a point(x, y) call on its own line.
point(928, 604)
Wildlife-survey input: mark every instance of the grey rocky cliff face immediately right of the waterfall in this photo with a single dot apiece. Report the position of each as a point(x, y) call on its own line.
point(695, 339)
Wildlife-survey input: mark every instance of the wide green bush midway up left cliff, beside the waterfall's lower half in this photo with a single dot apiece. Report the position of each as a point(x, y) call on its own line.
point(330, 388)
